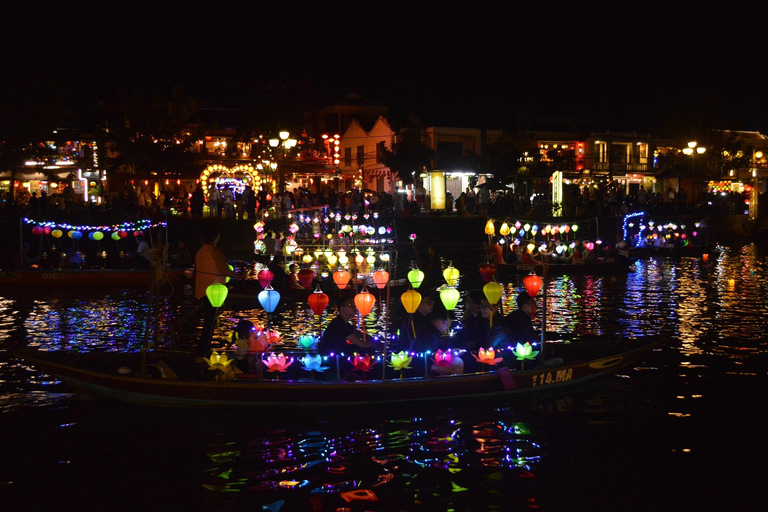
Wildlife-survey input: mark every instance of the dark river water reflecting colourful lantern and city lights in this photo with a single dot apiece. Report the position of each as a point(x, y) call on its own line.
point(684, 430)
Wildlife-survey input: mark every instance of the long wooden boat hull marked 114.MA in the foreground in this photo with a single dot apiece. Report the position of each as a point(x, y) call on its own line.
point(105, 375)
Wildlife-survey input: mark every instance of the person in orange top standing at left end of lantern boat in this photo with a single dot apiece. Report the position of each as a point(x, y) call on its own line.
point(210, 267)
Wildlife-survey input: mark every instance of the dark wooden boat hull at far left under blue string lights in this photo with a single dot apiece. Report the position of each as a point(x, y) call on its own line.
point(88, 277)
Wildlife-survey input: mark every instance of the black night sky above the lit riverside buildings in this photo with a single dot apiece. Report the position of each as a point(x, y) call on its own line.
point(479, 62)
